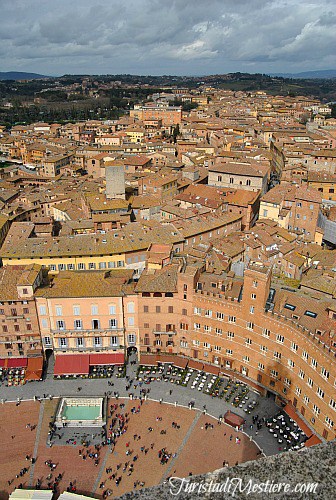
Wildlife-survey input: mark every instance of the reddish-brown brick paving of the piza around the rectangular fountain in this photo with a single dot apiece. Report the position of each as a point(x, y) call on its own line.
point(192, 449)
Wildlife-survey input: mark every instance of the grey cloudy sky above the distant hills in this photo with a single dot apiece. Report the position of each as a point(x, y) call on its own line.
point(181, 37)
